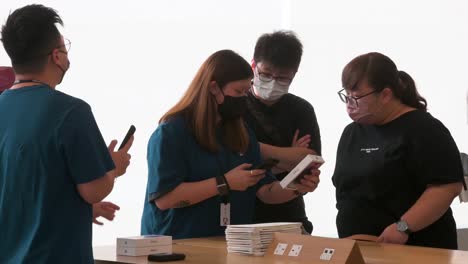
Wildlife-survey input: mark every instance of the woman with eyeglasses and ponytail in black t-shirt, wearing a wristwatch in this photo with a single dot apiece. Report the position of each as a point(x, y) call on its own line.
point(398, 168)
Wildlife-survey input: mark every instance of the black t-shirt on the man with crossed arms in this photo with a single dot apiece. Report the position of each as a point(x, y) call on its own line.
point(276, 125)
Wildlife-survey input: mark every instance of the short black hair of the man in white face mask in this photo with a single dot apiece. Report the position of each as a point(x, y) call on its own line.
point(281, 49)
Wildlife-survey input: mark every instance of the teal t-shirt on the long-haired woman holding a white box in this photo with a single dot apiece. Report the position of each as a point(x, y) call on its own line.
point(174, 156)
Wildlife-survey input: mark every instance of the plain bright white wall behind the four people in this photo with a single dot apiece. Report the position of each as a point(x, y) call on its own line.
point(132, 60)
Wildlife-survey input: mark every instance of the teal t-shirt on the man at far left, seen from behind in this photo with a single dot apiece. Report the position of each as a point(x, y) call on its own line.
point(49, 143)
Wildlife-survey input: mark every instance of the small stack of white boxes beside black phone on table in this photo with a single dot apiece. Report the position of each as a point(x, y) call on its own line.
point(144, 245)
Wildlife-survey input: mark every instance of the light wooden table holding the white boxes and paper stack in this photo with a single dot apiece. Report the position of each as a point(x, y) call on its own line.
point(213, 250)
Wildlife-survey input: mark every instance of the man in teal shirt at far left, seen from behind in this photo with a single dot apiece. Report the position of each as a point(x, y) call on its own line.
point(54, 163)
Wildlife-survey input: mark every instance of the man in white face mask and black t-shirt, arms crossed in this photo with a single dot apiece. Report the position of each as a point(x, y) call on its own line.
point(283, 123)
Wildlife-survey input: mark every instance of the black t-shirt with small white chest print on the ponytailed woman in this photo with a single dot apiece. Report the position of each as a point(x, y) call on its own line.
point(381, 171)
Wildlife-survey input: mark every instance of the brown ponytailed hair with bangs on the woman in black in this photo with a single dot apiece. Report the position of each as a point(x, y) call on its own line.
point(381, 72)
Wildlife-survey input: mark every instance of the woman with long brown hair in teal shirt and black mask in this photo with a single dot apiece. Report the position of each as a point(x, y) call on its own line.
point(201, 158)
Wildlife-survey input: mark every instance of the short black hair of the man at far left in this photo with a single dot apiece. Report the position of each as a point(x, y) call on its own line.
point(29, 35)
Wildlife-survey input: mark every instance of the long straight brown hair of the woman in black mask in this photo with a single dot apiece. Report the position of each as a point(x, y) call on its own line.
point(199, 106)
